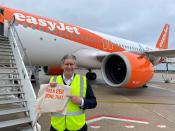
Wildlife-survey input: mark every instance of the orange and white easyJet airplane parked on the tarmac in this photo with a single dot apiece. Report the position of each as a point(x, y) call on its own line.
point(123, 63)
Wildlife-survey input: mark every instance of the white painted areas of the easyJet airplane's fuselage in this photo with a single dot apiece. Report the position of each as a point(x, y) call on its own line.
point(46, 49)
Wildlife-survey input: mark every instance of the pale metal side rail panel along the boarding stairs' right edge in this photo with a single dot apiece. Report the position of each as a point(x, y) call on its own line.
point(25, 80)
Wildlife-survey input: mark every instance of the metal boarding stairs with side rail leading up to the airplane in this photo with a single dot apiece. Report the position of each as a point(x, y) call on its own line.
point(17, 97)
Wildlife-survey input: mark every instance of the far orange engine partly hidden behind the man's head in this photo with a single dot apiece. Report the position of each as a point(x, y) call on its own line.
point(53, 70)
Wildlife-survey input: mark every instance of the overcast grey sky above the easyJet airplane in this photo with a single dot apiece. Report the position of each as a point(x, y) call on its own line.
point(136, 20)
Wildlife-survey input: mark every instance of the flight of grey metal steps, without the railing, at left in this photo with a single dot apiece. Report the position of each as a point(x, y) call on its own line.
point(14, 109)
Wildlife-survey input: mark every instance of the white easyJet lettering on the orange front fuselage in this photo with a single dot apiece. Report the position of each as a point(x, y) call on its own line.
point(51, 25)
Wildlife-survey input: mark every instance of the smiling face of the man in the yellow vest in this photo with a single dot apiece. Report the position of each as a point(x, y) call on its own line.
point(69, 66)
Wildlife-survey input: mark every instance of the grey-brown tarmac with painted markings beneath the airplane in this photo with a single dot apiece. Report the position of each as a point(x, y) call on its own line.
point(144, 109)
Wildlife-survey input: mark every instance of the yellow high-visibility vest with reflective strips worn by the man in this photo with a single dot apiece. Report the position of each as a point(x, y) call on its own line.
point(75, 116)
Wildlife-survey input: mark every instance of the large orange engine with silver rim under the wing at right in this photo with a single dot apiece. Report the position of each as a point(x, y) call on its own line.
point(126, 70)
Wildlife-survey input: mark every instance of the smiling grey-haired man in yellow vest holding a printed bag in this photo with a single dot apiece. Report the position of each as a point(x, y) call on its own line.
point(82, 98)
